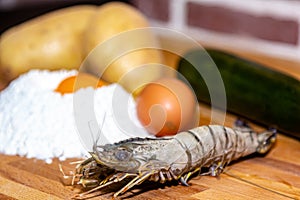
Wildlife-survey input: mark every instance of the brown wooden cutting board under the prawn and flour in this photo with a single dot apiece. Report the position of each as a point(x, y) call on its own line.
point(274, 176)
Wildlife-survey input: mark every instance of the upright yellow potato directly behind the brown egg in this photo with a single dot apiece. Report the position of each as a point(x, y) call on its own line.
point(114, 30)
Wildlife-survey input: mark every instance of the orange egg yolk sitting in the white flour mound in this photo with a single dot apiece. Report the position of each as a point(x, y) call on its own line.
point(82, 80)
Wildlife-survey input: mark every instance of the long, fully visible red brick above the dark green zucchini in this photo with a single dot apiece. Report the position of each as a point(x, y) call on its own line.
point(231, 21)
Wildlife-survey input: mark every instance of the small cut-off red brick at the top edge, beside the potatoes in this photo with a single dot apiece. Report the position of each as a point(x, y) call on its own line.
point(156, 9)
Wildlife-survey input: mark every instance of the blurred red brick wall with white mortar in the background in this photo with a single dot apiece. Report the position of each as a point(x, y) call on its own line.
point(271, 27)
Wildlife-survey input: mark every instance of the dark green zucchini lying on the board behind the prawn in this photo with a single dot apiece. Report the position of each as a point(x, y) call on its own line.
point(253, 91)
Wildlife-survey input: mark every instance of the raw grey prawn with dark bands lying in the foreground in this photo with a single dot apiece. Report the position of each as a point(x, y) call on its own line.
point(170, 158)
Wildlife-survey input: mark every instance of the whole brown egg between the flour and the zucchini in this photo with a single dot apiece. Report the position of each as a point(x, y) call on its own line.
point(167, 106)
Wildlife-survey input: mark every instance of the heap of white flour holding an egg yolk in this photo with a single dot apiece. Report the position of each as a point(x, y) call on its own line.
point(37, 122)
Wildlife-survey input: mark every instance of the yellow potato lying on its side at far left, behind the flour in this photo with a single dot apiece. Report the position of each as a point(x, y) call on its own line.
point(51, 41)
